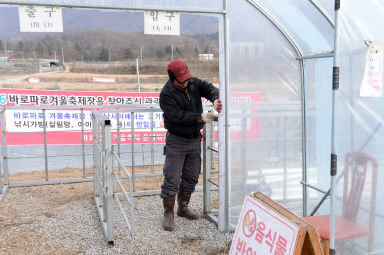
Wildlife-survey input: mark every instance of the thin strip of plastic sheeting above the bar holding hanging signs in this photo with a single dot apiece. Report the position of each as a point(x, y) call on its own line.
point(201, 5)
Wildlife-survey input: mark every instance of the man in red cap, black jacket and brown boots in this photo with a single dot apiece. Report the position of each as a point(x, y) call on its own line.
point(180, 100)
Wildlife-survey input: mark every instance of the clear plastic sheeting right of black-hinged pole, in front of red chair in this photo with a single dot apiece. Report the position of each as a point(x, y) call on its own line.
point(359, 136)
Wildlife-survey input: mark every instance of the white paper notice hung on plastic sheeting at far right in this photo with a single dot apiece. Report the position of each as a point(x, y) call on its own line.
point(373, 72)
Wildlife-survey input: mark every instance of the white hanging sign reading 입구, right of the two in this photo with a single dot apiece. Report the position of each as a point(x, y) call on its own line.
point(162, 23)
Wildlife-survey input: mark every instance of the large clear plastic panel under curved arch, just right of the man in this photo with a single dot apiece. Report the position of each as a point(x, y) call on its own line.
point(264, 112)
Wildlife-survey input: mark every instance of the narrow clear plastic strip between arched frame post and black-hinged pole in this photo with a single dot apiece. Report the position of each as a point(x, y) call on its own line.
point(318, 123)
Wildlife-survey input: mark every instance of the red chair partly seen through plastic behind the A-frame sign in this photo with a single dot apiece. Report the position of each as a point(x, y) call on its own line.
point(355, 173)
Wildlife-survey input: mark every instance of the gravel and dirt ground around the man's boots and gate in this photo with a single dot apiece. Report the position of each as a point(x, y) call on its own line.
point(62, 219)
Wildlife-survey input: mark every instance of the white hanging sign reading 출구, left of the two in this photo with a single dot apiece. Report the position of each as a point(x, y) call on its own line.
point(40, 18)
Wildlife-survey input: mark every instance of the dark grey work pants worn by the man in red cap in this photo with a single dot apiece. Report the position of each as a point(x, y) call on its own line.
point(182, 164)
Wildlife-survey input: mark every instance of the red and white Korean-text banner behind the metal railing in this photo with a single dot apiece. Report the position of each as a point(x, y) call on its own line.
point(63, 126)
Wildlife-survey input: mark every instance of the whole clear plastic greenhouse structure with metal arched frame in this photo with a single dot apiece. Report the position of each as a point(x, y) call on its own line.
point(301, 83)
